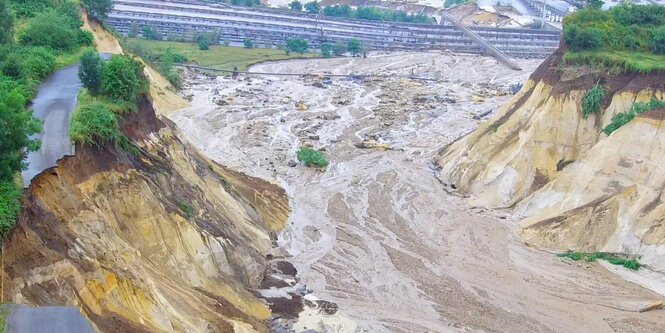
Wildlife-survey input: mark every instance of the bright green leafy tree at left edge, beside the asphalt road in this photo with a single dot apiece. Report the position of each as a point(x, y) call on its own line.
point(16, 127)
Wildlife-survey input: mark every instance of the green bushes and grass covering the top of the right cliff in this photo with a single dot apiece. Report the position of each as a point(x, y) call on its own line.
point(627, 37)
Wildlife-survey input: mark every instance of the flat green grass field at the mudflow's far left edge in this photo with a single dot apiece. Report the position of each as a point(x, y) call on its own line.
point(223, 57)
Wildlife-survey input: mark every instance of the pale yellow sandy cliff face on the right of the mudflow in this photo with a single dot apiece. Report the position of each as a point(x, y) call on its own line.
point(578, 188)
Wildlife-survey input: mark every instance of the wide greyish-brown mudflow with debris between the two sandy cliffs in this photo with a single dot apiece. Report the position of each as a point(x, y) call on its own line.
point(376, 233)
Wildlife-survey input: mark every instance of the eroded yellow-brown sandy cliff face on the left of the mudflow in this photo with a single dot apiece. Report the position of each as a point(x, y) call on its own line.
point(109, 232)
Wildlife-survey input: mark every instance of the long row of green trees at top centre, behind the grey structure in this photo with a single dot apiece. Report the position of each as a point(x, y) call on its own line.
point(375, 13)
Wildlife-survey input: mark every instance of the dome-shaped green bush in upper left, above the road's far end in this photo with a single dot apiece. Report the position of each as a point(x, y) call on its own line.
point(50, 29)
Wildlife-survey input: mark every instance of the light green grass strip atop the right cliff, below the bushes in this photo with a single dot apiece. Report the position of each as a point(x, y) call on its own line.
point(627, 61)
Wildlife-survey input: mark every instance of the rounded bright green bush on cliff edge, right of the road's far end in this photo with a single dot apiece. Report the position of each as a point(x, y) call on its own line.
point(123, 79)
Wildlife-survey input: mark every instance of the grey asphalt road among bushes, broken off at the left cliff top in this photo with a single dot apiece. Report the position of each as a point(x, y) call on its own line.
point(54, 104)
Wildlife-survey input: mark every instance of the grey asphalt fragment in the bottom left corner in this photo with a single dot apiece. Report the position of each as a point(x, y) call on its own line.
point(46, 319)
